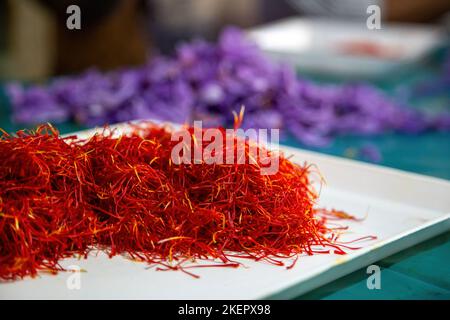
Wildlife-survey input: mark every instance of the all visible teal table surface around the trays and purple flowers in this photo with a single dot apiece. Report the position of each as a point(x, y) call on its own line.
point(420, 272)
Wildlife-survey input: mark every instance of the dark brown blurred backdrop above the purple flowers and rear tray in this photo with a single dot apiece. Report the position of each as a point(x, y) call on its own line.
point(34, 43)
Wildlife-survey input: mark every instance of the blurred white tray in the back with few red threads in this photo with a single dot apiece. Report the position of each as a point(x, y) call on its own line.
point(315, 44)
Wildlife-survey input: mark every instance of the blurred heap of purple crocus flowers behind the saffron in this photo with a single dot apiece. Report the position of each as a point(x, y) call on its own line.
point(206, 81)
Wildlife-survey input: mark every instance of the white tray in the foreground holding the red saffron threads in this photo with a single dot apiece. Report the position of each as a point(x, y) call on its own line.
point(403, 209)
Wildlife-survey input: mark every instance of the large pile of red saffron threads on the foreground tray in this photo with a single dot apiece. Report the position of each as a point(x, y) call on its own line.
point(122, 194)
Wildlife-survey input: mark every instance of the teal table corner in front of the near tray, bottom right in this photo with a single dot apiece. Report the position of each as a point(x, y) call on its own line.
point(420, 272)
